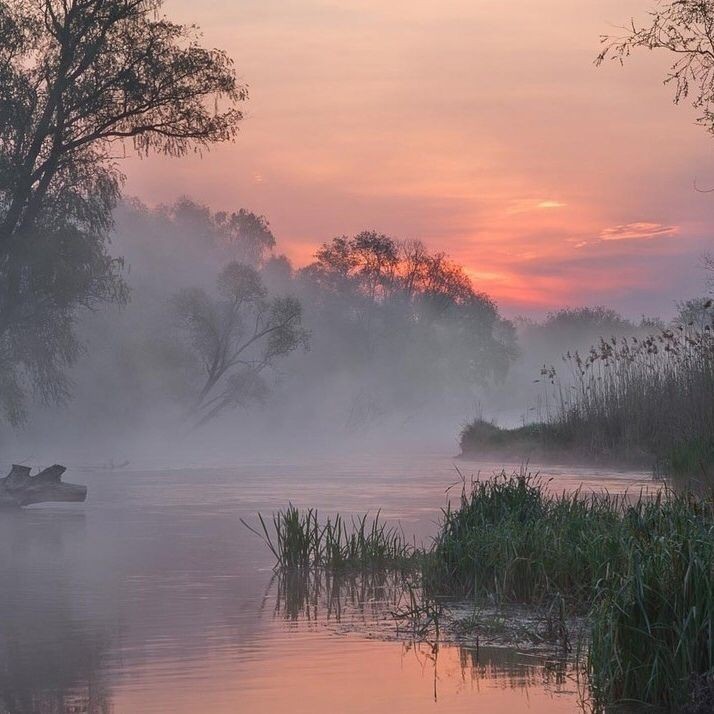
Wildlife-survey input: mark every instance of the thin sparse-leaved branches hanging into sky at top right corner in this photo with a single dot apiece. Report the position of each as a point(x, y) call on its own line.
point(684, 28)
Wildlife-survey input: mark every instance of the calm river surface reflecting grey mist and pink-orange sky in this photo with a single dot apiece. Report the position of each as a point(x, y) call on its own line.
point(152, 597)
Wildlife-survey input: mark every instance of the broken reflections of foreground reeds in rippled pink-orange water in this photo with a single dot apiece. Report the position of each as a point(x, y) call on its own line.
point(372, 604)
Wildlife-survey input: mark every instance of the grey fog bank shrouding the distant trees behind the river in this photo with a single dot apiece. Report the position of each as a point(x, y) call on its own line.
point(392, 348)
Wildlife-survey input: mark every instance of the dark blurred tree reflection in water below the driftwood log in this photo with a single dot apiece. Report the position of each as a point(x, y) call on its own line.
point(50, 647)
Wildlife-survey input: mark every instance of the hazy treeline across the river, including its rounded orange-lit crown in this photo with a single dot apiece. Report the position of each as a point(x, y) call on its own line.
point(217, 320)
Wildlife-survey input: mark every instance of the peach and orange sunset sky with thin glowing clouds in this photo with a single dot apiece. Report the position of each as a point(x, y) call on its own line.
point(481, 127)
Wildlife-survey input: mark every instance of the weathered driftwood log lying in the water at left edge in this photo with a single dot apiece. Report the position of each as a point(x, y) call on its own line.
point(18, 488)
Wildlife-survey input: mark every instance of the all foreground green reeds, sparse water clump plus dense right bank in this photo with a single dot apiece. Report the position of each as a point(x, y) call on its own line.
point(635, 571)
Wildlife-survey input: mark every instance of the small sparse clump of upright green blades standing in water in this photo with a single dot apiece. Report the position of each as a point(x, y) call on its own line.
point(299, 540)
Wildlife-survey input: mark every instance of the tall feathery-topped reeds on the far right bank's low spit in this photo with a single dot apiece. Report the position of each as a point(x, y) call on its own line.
point(646, 400)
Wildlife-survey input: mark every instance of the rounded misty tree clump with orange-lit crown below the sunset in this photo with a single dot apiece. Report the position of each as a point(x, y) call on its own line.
point(407, 324)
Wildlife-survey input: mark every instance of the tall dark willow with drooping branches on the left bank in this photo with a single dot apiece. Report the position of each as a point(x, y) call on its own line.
point(82, 83)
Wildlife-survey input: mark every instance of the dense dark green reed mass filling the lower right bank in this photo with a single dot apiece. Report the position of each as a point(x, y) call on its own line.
point(642, 569)
